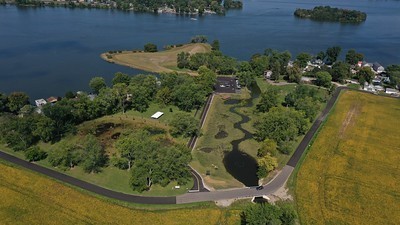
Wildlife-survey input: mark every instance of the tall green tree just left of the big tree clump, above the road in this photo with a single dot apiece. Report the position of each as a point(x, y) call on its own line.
point(93, 155)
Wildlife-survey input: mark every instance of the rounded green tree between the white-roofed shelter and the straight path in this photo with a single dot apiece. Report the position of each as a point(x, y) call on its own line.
point(183, 124)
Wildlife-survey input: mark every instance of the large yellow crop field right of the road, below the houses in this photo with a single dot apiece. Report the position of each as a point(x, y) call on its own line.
point(351, 174)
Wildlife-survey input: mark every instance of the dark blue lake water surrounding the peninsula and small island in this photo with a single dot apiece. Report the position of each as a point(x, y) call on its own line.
point(48, 51)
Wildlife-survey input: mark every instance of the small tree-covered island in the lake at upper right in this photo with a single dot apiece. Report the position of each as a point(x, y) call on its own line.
point(327, 13)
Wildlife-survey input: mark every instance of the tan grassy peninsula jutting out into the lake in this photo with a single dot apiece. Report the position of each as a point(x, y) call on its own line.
point(157, 62)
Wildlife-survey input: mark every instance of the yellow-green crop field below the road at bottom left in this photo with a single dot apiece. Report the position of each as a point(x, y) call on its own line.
point(29, 198)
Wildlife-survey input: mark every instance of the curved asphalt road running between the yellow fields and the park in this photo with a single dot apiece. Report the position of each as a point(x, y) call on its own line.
point(269, 188)
